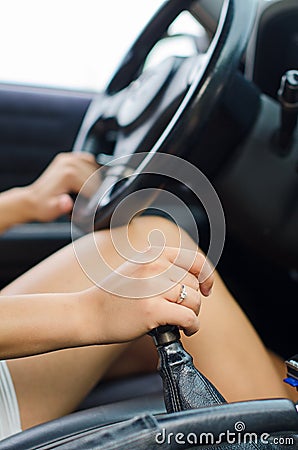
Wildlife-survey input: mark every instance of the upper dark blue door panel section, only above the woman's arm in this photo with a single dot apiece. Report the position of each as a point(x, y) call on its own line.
point(35, 124)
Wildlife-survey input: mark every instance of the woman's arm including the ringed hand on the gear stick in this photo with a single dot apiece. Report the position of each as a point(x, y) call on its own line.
point(34, 324)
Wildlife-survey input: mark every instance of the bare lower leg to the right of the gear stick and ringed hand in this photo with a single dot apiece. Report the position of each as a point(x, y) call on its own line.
point(229, 352)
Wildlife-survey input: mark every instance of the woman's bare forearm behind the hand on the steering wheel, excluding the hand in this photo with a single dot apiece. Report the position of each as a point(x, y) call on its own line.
point(15, 208)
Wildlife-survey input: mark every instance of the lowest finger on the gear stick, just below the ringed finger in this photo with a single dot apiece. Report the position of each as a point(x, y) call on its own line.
point(173, 314)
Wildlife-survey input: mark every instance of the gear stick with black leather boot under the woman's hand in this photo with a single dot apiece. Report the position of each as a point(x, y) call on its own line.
point(184, 386)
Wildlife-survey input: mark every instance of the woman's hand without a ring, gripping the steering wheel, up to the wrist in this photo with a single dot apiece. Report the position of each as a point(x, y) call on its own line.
point(49, 194)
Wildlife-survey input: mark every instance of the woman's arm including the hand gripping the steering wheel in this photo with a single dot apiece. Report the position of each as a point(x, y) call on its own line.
point(47, 198)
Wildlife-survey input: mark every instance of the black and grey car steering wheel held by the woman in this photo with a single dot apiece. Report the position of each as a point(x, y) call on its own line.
point(144, 111)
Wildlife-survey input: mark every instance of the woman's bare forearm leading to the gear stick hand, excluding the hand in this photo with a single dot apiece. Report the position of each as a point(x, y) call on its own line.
point(34, 324)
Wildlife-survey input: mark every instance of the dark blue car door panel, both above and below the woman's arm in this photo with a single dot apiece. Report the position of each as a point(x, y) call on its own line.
point(35, 125)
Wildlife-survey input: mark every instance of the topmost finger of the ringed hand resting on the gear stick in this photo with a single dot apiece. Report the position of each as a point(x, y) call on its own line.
point(194, 262)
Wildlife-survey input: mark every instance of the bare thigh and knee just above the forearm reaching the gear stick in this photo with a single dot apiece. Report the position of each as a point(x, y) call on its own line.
point(92, 257)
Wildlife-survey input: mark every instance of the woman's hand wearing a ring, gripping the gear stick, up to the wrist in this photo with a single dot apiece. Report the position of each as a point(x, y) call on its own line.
point(110, 314)
